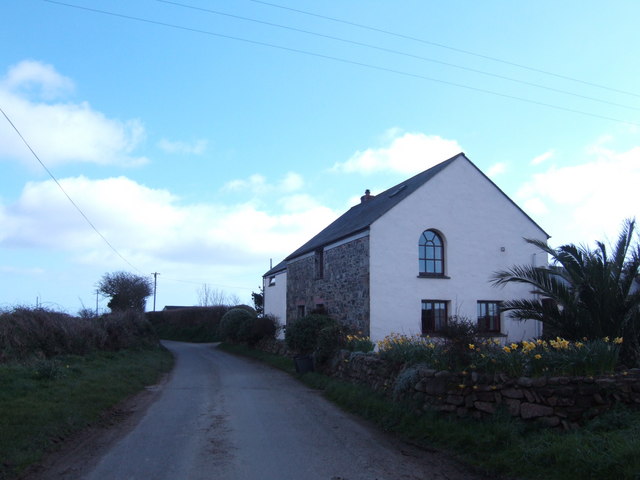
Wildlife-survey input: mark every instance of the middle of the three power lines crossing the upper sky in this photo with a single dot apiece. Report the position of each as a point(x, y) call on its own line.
point(397, 52)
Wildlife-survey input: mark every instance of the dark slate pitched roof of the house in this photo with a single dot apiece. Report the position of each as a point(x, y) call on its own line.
point(360, 217)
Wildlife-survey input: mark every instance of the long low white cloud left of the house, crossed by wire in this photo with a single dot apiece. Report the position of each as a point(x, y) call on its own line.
point(152, 227)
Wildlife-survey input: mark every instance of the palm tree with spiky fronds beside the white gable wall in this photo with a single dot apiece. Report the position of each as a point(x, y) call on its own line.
point(584, 293)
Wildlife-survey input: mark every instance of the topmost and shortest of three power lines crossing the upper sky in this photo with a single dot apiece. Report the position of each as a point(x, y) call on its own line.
point(448, 47)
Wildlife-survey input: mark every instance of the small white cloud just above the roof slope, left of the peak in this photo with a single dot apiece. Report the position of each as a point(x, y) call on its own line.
point(409, 153)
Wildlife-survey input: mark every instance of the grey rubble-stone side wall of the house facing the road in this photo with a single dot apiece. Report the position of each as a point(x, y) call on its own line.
point(343, 289)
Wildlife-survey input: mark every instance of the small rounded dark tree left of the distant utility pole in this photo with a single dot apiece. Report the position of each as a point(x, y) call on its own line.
point(126, 290)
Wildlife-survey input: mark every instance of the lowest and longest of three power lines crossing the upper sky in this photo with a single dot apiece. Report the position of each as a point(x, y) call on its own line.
point(346, 61)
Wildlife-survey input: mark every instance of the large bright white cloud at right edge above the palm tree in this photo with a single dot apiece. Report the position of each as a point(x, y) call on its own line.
point(585, 202)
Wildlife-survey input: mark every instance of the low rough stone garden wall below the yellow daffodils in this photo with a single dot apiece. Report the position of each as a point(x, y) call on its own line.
point(552, 401)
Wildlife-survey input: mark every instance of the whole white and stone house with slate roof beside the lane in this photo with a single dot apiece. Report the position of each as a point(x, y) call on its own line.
point(408, 259)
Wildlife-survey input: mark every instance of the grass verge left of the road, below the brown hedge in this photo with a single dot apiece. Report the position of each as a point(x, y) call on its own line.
point(45, 401)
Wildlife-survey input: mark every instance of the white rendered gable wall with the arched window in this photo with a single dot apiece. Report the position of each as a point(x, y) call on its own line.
point(477, 222)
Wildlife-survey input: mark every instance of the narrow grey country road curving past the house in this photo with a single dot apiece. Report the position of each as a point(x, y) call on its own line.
point(227, 418)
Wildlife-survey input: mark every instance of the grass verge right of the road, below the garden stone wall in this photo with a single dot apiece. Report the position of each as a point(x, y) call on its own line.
point(604, 448)
